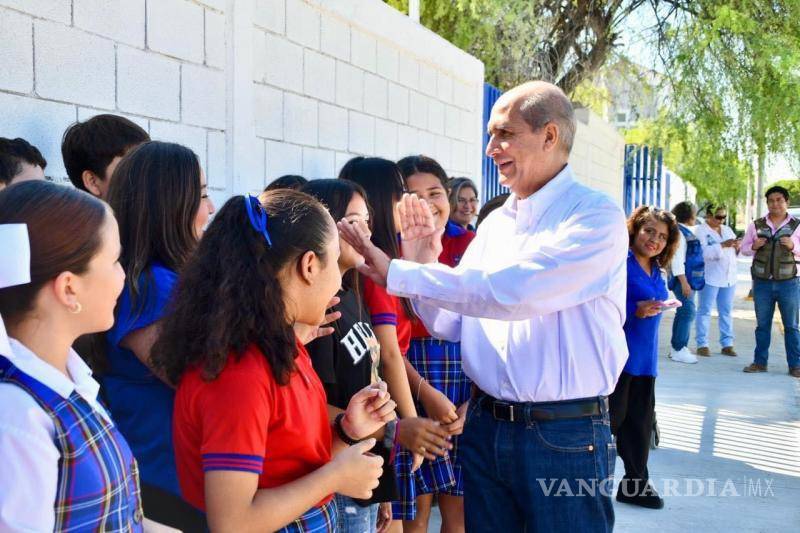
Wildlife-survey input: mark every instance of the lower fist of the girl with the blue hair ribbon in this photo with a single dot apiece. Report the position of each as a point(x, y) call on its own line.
point(357, 470)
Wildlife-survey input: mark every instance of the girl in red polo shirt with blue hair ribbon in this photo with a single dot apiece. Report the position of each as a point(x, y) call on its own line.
point(253, 443)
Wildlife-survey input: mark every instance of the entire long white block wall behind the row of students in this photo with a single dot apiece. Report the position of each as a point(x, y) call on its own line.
point(257, 88)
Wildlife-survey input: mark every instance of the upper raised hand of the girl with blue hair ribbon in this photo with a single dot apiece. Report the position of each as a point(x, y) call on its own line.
point(368, 411)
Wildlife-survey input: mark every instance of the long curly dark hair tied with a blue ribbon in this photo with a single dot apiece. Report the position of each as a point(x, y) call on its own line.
point(229, 295)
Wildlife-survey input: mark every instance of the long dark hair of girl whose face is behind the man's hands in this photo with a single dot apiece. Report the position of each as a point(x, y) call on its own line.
point(383, 183)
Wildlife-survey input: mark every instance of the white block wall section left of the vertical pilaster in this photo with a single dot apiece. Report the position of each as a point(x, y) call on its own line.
point(159, 63)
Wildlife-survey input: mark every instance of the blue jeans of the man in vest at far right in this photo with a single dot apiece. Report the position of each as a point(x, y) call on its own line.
point(787, 295)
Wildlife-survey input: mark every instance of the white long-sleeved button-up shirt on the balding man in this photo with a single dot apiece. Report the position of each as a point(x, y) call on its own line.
point(538, 300)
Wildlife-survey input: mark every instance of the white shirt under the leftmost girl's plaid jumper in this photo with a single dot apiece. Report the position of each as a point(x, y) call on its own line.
point(28, 455)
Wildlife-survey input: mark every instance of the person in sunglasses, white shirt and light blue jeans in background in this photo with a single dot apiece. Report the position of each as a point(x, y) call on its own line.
point(720, 248)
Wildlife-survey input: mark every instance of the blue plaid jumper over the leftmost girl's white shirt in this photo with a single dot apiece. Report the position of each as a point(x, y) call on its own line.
point(98, 480)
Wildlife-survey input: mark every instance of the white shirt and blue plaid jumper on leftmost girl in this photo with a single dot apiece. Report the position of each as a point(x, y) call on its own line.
point(51, 478)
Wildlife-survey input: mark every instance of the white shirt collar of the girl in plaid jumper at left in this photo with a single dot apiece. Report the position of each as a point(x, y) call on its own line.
point(82, 380)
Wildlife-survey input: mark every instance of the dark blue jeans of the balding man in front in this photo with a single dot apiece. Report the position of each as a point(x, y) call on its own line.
point(537, 476)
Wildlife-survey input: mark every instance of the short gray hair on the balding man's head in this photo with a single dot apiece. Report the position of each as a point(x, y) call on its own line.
point(550, 105)
